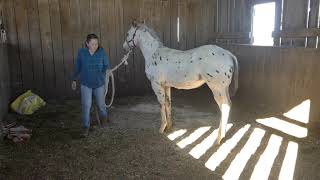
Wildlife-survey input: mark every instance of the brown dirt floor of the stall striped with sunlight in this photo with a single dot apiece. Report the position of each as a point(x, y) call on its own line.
point(131, 147)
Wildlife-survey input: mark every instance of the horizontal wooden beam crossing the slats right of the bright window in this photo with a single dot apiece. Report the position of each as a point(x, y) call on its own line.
point(297, 33)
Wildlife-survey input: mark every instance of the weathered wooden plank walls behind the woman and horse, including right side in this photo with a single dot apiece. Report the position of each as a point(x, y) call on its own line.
point(44, 36)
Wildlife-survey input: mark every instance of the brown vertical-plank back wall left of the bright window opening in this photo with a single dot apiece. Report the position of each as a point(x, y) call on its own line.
point(44, 36)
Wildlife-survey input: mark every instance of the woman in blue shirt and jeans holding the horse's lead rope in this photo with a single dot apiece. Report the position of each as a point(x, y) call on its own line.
point(91, 66)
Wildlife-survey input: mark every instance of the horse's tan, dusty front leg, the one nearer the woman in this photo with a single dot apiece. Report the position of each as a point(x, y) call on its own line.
point(160, 93)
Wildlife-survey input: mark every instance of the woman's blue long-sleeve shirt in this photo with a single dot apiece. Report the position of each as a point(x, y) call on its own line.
point(91, 68)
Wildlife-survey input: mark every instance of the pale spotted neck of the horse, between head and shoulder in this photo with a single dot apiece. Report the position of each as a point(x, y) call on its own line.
point(148, 45)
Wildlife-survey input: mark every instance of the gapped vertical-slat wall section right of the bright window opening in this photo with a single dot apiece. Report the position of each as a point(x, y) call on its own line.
point(297, 23)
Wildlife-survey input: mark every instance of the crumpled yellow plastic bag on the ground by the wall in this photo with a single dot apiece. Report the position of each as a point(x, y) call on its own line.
point(27, 103)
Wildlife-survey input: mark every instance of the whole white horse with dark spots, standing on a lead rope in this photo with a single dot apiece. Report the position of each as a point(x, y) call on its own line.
point(166, 68)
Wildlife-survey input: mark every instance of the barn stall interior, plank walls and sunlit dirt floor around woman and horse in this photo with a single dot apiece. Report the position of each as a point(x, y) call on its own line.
point(273, 126)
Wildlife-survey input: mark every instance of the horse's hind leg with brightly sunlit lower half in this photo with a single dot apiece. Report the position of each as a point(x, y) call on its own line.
point(221, 96)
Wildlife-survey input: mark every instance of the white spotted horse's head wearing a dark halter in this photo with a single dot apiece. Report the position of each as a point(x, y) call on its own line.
point(131, 38)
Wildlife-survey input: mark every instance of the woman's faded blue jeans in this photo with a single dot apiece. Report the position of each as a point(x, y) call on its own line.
point(86, 101)
